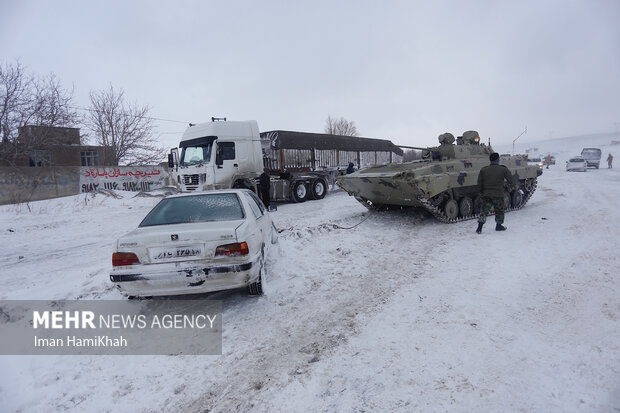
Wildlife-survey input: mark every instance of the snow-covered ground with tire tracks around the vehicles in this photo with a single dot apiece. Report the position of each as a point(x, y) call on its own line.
point(400, 313)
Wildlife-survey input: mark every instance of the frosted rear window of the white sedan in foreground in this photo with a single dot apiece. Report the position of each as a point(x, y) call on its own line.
point(197, 208)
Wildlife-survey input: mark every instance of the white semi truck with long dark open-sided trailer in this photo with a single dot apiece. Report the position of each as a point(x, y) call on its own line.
point(232, 154)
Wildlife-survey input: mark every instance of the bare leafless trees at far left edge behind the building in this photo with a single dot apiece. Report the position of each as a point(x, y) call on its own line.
point(26, 100)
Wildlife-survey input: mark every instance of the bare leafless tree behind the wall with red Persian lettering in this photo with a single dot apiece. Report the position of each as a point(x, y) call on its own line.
point(123, 127)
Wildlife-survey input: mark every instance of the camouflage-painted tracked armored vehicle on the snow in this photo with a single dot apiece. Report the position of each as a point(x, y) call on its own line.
point(444, 181)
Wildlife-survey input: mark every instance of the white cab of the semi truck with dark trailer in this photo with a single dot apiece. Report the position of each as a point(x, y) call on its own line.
point(217, 155)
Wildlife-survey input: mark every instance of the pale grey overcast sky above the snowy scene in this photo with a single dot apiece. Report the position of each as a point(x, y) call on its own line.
point(403, 70)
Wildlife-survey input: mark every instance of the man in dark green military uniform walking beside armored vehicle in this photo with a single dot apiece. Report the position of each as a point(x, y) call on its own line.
point(491, 185)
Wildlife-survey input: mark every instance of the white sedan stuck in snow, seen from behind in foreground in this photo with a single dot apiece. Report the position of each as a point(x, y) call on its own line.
point(196, 243)
